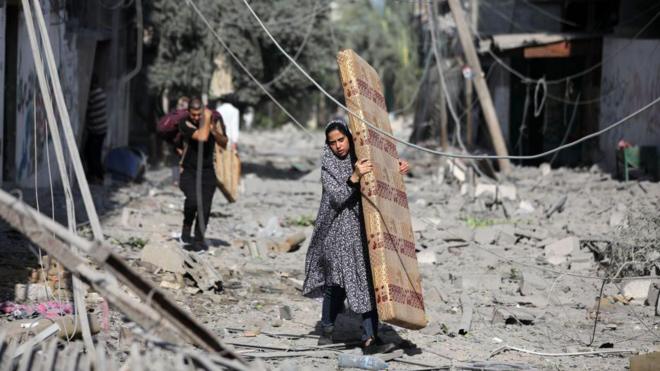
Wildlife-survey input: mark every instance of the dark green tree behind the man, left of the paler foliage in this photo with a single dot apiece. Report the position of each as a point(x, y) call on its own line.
point(186, 48)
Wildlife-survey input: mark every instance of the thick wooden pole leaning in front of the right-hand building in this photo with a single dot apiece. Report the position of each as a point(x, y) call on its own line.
point(480, 85)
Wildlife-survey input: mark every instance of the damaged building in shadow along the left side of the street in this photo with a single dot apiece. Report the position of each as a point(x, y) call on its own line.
point(89, 38)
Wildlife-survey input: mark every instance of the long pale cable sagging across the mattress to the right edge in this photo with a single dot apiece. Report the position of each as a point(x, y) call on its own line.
point(424, 149)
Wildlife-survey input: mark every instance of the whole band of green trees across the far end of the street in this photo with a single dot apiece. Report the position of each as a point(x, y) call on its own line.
point(186, 49)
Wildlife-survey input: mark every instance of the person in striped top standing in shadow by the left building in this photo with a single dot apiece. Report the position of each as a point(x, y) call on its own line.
point(97, 127)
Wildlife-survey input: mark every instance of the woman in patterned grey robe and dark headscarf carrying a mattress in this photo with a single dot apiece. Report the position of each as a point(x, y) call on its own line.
point(337, 265)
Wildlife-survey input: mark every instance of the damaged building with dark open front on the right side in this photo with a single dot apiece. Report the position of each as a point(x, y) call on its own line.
point(557, 71)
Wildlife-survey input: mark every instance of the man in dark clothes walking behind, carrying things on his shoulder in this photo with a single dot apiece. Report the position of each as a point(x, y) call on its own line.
point(200, 131)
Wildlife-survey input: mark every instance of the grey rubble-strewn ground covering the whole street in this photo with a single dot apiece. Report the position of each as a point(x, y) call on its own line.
point(527, 259)
